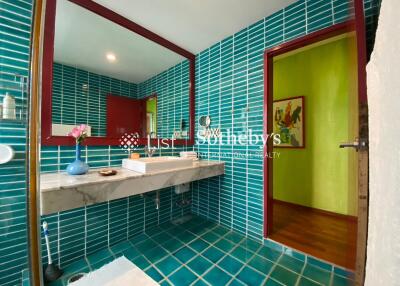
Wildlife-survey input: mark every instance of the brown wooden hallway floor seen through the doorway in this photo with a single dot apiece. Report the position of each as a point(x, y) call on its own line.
point(329, 237)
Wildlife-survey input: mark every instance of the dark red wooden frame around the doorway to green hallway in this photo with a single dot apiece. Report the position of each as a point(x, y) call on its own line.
point(356, 25)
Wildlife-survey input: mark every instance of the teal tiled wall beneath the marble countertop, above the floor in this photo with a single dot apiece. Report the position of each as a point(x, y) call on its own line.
point(80, 232)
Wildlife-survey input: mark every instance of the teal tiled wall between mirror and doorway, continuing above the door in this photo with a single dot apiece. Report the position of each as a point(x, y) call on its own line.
point(229, 88)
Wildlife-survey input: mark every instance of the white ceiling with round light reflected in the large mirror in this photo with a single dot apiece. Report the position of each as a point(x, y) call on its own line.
point(83, 39)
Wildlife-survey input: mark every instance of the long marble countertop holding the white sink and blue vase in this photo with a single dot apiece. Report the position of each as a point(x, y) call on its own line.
point(60, 191)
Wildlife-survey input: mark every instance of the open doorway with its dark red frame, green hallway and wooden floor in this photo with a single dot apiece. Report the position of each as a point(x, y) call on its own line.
point(316, 192)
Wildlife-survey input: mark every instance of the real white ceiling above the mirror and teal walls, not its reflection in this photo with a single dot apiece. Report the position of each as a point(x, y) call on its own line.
point(195, 25)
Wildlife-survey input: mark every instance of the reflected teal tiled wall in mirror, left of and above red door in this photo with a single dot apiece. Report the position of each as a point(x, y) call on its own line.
point(79, 96)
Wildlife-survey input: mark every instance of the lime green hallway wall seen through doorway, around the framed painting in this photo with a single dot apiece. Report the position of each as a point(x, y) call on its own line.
point(321, 175)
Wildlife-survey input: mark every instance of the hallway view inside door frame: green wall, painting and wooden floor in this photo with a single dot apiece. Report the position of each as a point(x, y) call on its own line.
point(315, 182)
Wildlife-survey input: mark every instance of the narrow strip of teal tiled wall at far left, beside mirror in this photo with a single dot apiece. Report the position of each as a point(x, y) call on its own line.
point(15, 22)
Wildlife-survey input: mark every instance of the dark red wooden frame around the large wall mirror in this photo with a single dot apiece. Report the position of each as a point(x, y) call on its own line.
point(47, 74)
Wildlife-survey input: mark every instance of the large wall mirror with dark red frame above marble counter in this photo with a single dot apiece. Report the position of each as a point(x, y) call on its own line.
point(105, 71)
